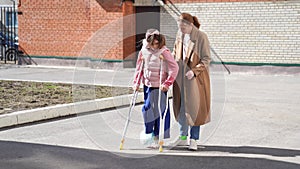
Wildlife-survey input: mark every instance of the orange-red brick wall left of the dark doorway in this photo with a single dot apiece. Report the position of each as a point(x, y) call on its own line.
point(64, 28)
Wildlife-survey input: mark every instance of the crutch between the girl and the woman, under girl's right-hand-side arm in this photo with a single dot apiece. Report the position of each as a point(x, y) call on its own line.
point(162, 116)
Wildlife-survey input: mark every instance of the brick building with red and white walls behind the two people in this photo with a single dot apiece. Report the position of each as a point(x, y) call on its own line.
point(240, 31)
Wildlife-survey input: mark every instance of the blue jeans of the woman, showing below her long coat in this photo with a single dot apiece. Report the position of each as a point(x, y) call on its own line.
point(184, 126)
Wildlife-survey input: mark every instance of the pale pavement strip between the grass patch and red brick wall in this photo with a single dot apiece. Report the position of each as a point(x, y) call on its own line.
point(72, 75)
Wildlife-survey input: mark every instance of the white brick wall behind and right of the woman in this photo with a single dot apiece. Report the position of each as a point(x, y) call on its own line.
point(251, 32)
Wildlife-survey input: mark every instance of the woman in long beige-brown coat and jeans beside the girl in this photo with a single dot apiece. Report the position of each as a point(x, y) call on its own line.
point(191, 90)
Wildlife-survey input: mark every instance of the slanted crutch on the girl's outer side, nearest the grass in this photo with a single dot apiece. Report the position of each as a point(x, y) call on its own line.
point(132, 104)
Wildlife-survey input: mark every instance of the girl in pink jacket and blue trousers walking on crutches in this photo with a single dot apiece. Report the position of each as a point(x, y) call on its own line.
point(159, 73)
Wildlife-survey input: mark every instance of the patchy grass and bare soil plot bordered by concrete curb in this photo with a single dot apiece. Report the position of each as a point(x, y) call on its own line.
point(19, 95)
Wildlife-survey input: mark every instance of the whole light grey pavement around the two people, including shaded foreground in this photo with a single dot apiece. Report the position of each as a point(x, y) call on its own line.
point(255, 124)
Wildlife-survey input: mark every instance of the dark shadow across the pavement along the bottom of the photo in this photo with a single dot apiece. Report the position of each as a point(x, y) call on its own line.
point(16, 155)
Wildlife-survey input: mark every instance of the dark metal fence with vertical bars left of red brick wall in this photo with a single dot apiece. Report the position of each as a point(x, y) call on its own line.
point(8, 34)
